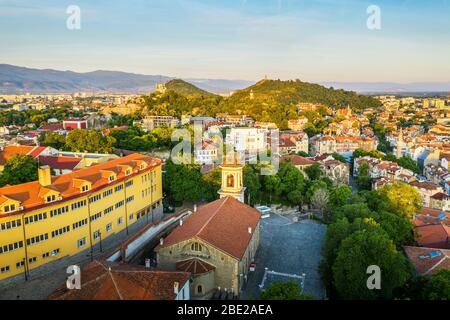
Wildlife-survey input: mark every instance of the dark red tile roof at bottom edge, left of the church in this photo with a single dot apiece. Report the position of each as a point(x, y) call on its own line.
point(103, 280)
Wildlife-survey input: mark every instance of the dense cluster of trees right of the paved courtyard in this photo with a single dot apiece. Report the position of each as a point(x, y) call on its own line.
point(370, 228)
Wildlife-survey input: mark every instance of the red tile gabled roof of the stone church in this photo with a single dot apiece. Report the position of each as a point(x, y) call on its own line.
point(223, 224)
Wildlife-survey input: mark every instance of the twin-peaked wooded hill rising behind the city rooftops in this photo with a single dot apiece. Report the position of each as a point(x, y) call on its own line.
point(268, 100)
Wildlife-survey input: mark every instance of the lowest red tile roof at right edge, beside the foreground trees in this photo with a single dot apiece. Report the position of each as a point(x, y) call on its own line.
point(428, 261)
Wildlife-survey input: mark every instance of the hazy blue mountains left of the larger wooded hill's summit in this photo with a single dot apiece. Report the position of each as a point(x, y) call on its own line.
point(15, 79)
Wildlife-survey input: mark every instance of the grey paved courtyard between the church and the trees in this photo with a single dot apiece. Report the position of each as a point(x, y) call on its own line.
point(292, 248)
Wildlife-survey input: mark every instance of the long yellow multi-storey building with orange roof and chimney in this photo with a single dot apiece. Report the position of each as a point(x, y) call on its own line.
point(57, 217)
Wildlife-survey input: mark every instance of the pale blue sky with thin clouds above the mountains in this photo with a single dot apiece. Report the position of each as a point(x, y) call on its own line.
point(311, 40)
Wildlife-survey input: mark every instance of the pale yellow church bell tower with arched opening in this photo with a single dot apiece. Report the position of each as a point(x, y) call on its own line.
point(232, 179)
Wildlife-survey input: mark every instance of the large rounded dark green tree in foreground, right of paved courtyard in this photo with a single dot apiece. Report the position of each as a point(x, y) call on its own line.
point(361, 250)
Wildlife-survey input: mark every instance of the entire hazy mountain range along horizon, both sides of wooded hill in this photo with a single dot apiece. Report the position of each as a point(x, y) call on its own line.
point(14, 79)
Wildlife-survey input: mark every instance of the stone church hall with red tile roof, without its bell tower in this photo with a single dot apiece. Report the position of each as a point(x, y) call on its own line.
point(216, 245)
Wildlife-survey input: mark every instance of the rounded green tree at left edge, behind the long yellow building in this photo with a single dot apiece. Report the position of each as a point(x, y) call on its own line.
point(19, 169)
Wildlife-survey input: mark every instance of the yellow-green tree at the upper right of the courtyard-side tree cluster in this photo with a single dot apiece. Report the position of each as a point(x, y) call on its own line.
point(404, 200)
